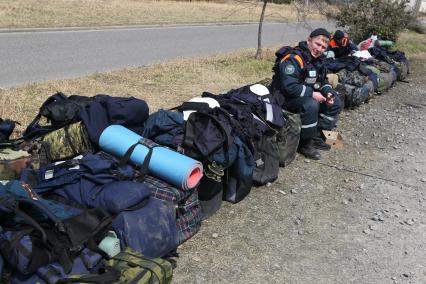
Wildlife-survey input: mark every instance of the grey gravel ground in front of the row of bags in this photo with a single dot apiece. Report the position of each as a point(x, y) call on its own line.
point(321, 221)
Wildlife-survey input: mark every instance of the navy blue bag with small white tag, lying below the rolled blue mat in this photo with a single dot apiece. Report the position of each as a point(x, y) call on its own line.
point(92, 181)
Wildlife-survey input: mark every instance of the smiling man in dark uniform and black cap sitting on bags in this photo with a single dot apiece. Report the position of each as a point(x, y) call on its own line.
point(300, 80)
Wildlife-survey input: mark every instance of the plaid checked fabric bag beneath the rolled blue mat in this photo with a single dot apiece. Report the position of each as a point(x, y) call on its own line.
point(188, 208)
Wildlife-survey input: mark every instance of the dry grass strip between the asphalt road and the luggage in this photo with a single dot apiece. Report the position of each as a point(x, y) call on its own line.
point(161, 85)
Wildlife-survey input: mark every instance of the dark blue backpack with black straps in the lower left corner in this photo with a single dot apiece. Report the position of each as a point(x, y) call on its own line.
point(37, 231)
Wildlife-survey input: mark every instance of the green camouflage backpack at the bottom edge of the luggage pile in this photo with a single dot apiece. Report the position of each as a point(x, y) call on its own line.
point(128, 266)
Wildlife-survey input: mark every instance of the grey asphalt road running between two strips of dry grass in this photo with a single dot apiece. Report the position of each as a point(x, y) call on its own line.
point(39, 55)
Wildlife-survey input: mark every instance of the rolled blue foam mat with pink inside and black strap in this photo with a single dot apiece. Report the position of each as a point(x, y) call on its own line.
point(173, 167)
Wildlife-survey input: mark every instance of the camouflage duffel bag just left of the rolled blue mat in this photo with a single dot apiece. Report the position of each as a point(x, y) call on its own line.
point(65, 143)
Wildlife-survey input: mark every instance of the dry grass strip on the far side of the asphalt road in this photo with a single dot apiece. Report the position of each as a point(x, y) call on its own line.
point(66, 13)
